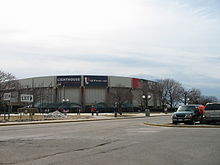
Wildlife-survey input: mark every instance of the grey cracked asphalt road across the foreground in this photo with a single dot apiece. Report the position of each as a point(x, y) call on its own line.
point(126, 142)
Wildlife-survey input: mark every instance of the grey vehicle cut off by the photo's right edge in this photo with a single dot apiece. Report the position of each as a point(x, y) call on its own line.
point(212, 113)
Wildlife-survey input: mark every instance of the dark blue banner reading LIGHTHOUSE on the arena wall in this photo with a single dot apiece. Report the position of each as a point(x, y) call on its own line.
point(69, 81)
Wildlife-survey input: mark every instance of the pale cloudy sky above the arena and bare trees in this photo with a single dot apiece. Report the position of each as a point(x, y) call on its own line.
point(150, 39)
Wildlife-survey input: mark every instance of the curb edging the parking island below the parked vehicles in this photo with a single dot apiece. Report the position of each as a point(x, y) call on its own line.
point(181, 126)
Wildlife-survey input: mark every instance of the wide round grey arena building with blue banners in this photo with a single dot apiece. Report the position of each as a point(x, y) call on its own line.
point(82, 91)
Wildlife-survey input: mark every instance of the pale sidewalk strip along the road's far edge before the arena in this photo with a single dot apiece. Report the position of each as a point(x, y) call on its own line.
point(85, 117)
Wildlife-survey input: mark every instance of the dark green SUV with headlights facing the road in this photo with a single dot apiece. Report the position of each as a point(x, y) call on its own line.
point(187, 114)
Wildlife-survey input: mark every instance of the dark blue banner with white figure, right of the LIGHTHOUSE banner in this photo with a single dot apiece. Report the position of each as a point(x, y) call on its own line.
point(96, 81)
